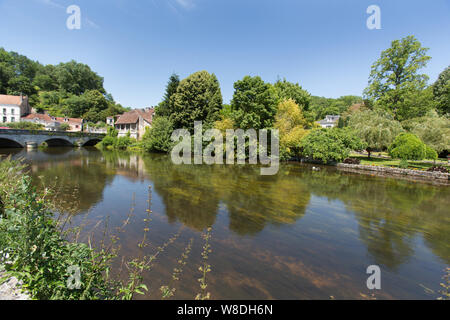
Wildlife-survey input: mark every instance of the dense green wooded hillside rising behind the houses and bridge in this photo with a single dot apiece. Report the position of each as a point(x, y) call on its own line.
point(69, 89)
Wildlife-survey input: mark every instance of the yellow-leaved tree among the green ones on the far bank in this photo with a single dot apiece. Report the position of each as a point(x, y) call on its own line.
point(290, 123)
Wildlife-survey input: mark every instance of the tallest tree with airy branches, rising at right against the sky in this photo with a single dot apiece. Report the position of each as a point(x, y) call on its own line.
point(394, 80)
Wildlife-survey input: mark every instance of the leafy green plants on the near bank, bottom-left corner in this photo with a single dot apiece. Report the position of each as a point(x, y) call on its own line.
point(38, 253)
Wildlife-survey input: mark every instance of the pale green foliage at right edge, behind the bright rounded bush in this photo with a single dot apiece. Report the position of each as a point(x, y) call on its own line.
point(433, 130)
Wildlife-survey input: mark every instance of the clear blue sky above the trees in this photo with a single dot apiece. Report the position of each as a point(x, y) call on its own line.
point(135, 45)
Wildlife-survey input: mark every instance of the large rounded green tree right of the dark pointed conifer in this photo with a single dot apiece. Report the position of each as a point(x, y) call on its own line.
point(198, 98)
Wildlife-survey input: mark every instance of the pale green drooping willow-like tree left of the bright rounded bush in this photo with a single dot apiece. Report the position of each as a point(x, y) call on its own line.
point(376, 128)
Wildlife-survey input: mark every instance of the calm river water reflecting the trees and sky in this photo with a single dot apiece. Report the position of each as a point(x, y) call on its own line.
point(300, 234)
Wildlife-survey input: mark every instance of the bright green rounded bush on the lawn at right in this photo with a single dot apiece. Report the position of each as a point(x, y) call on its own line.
point(407, 146)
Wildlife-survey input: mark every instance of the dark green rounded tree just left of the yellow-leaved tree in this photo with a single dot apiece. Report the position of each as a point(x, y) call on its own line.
point(254, 103)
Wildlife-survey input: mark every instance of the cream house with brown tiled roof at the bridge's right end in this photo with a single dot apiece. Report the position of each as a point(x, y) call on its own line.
point(134, 122)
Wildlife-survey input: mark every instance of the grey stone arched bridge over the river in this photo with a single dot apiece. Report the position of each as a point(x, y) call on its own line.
point(12, 138)
